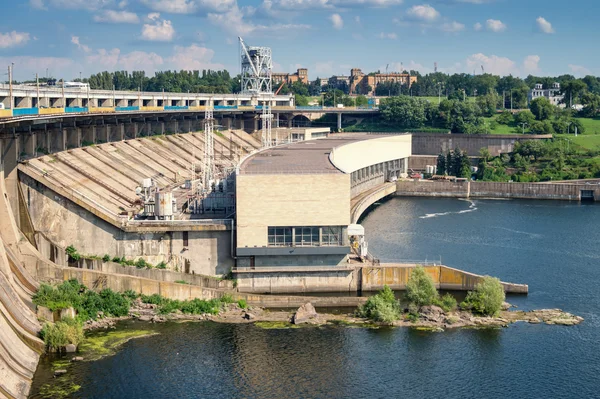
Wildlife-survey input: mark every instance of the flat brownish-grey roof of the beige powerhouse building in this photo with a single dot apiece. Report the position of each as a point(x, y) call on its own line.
point(304, 157)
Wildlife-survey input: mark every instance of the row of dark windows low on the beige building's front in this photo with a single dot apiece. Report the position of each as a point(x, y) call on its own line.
point(305, 236)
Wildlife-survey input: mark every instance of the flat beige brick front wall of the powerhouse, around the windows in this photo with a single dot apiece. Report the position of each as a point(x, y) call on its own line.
point(289, 200)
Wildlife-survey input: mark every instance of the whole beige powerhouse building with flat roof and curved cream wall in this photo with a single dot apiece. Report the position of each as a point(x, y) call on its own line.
point(294, 202)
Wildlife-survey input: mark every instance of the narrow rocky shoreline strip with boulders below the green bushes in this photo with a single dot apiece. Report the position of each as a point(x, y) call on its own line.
point(431, 318)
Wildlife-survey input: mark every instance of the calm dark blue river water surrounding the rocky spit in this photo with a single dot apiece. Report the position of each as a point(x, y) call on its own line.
point(552, 246)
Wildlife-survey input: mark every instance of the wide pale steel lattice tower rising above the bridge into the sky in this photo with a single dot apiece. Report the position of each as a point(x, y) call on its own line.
point(256, 67)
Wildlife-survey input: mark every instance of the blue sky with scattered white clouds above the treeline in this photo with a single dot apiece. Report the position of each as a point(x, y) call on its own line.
point(328, 37)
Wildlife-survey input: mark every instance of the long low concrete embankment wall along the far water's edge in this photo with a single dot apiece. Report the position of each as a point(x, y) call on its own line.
point(468, 189)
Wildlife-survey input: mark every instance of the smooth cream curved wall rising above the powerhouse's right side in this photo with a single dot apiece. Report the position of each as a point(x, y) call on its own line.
point(354, 156)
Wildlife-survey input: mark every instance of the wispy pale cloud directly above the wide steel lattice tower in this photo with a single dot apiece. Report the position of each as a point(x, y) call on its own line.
point(233, 22)
